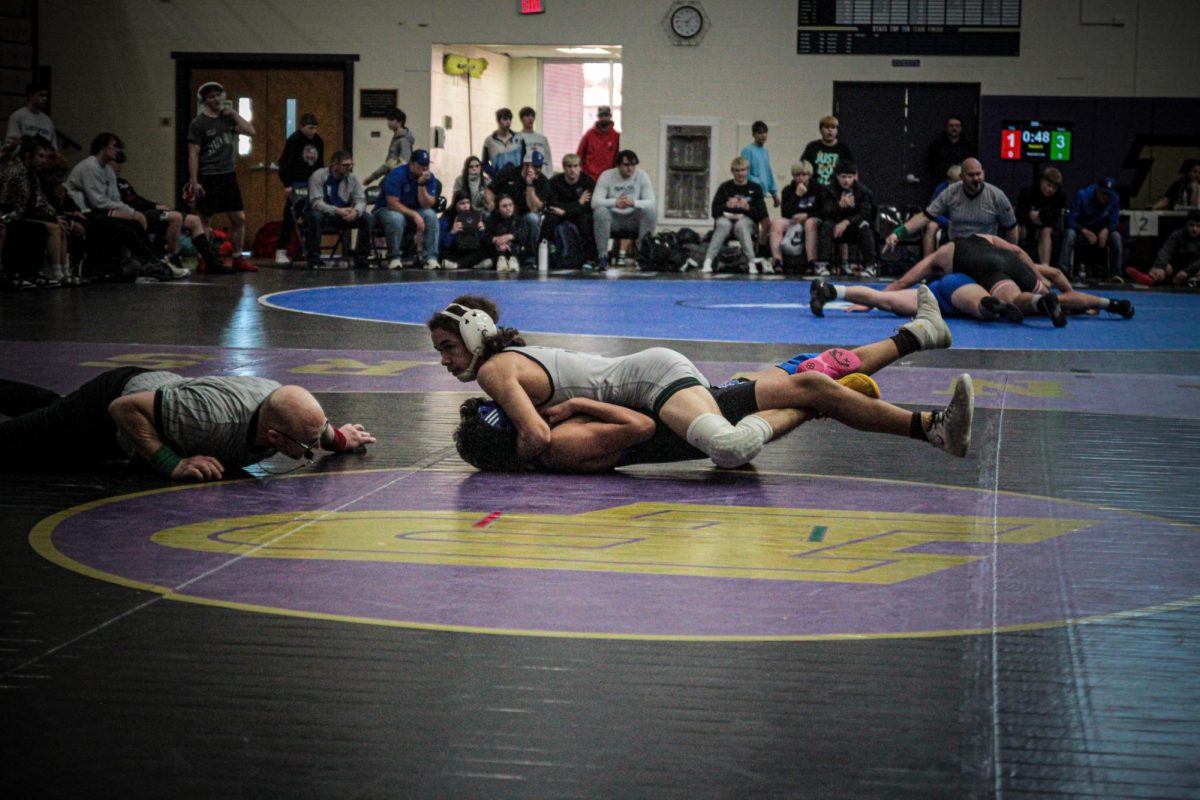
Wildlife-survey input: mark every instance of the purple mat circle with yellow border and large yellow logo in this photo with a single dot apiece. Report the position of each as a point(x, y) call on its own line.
point(710, 557)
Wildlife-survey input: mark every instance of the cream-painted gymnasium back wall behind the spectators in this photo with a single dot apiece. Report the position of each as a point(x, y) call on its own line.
point(112, 67)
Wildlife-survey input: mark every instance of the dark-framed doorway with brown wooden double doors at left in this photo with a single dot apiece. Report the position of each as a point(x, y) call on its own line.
point(272, 93)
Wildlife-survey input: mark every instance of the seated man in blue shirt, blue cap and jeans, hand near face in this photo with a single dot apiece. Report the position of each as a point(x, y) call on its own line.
point(409, 200)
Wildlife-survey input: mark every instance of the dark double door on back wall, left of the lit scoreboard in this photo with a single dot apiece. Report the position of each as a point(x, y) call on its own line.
point(890, 128)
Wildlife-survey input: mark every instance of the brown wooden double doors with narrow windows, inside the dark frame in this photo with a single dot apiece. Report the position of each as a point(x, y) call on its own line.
point(273, 101)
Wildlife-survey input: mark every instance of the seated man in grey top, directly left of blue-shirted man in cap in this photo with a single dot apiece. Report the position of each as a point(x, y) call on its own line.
point(338, 202)
